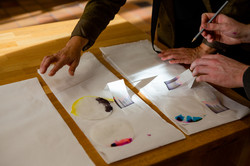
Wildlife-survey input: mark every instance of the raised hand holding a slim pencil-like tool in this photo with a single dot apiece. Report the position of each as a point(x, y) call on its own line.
point(224, 29)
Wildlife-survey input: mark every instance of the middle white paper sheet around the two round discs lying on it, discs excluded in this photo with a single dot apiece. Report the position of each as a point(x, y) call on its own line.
point(140, 116)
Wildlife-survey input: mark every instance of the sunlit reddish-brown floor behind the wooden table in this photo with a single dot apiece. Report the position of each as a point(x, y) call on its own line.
point(22, 13)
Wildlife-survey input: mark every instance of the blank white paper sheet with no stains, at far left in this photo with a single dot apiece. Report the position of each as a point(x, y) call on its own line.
point(31, 130)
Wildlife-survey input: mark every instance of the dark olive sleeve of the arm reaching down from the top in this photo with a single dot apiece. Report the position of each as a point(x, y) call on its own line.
point(95, 18)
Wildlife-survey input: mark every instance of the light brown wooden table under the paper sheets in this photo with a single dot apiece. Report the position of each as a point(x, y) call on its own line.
point(21, 51)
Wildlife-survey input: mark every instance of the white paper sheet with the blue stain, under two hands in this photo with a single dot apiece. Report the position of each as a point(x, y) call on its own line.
point(137, 62)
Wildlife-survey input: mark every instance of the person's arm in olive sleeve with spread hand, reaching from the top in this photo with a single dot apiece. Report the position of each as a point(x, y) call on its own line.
point(94, 20)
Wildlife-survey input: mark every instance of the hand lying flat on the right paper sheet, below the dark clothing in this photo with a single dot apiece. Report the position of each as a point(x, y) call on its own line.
point(184, 55)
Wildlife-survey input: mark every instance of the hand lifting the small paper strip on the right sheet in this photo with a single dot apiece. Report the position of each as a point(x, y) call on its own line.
point(219, 70)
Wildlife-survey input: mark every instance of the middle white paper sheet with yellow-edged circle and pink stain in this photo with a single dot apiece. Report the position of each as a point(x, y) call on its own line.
point(136, 123)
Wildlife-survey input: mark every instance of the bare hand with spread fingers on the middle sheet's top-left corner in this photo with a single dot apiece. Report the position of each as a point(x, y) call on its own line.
point(69, 55)
